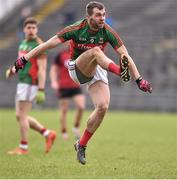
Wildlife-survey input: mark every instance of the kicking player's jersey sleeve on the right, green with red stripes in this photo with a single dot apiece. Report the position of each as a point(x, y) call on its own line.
point(113, 38)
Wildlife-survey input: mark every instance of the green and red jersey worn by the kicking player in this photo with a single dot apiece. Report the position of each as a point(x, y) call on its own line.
point(83, 38)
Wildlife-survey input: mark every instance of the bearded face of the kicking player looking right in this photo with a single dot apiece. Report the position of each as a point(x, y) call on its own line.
point(97, 19)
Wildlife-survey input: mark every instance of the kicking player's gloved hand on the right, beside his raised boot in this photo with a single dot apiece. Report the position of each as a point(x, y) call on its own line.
point(144, 85)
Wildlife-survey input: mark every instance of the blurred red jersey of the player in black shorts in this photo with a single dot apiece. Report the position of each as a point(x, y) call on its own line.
point(64, 79)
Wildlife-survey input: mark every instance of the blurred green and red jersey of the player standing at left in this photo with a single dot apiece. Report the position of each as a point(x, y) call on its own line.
point(29, 74)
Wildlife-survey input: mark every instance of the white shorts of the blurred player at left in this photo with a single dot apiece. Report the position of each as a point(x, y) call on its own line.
point(26, 92)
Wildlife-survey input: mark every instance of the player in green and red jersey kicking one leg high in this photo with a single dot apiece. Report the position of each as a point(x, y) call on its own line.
point(89, 64)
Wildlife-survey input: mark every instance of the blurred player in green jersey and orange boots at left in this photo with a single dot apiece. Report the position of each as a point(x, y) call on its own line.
point(30, 86)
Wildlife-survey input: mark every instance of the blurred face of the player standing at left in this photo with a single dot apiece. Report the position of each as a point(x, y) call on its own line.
point(30, 31)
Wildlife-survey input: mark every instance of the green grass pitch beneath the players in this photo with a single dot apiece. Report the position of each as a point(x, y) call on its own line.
point(127, 145)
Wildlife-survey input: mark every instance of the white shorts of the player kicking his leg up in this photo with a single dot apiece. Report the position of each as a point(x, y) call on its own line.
point(100, 75)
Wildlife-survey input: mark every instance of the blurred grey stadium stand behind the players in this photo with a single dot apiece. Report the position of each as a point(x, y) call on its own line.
point(148, 29)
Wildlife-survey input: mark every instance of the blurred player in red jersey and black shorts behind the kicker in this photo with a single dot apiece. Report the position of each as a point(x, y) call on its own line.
point(66, 89)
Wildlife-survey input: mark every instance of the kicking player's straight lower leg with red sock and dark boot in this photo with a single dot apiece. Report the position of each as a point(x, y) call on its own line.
point(101, 103)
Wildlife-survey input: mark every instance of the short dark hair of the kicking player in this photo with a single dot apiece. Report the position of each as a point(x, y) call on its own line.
point(93, 4)
